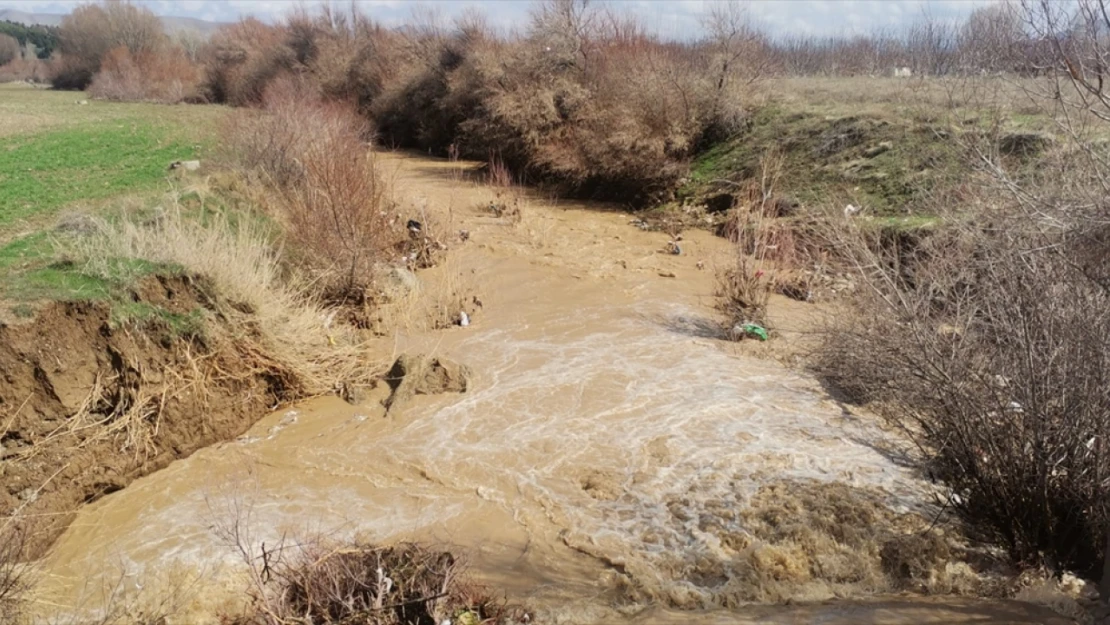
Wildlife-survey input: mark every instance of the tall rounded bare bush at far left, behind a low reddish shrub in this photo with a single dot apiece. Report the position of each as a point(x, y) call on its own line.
point(88, 34)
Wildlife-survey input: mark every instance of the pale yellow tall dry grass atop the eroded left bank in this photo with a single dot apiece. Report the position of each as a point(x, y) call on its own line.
point(290, 331)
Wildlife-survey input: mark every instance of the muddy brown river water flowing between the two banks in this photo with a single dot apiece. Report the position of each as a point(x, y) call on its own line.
point(606, 425)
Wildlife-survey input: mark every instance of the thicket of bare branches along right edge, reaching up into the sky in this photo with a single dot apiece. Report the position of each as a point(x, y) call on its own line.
point(988, 339)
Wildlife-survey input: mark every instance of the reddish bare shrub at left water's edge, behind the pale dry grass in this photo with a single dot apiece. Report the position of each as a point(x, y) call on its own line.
point(328, 189)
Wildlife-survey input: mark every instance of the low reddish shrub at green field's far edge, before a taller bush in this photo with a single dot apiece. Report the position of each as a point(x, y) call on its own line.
point(165, 76)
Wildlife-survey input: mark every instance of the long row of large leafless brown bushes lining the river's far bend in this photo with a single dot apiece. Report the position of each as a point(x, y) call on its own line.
point(587, 99)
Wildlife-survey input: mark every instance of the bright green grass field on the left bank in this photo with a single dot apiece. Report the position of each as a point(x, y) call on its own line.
point(100, 158)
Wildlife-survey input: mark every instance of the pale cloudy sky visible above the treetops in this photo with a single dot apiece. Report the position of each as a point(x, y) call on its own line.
point(668, 17)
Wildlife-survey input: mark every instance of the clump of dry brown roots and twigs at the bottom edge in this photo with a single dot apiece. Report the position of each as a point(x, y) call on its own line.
point(362, 584)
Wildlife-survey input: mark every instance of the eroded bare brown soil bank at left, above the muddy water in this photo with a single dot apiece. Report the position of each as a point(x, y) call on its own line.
point(88, 406)
